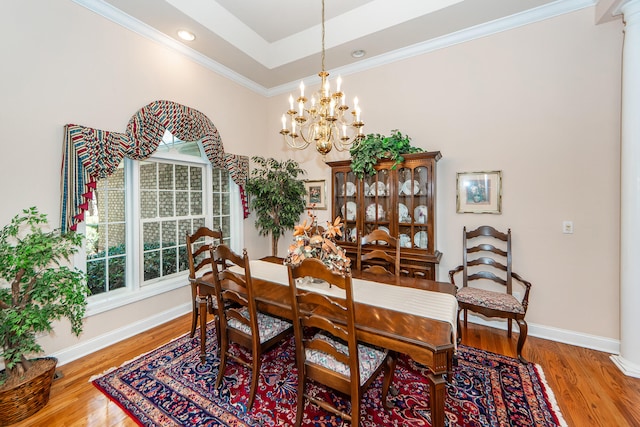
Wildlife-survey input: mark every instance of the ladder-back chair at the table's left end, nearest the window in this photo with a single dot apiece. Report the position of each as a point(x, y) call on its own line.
point(199, 245)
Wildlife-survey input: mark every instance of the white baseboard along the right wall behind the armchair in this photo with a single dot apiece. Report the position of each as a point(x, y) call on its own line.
point(565, 336)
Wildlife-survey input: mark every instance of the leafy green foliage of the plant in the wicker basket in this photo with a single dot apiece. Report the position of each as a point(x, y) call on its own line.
point(35, 288)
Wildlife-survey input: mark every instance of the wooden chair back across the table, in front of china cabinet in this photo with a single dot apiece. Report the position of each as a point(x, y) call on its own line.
point(379, 260)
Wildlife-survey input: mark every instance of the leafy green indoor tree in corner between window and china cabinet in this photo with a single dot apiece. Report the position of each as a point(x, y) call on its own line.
point(277, 197)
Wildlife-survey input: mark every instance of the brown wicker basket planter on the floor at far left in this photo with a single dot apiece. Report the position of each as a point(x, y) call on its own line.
point(27, 398)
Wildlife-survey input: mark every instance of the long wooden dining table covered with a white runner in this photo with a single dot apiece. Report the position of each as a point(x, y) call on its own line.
point(409, 315)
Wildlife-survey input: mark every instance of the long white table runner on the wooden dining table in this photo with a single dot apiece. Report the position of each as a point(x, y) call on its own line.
point(433, 305)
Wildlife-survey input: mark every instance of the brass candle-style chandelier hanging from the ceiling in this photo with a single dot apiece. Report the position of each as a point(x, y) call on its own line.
point(324, 119)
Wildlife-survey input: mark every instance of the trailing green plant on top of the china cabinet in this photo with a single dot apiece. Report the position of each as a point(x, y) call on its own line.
point(373, 147)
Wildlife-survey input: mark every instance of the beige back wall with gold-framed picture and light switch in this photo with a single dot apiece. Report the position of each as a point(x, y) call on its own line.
point(541, 103)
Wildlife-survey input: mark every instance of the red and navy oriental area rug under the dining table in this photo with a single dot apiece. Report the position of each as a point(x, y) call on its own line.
point(169, 386)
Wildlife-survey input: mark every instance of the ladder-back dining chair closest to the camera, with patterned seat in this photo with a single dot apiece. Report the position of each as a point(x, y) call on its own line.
point(331, 354)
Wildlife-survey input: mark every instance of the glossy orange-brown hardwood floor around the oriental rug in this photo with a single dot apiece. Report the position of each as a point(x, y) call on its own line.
point(589, 388)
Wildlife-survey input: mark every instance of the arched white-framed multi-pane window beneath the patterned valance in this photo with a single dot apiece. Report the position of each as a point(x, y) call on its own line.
point(137, 222)
